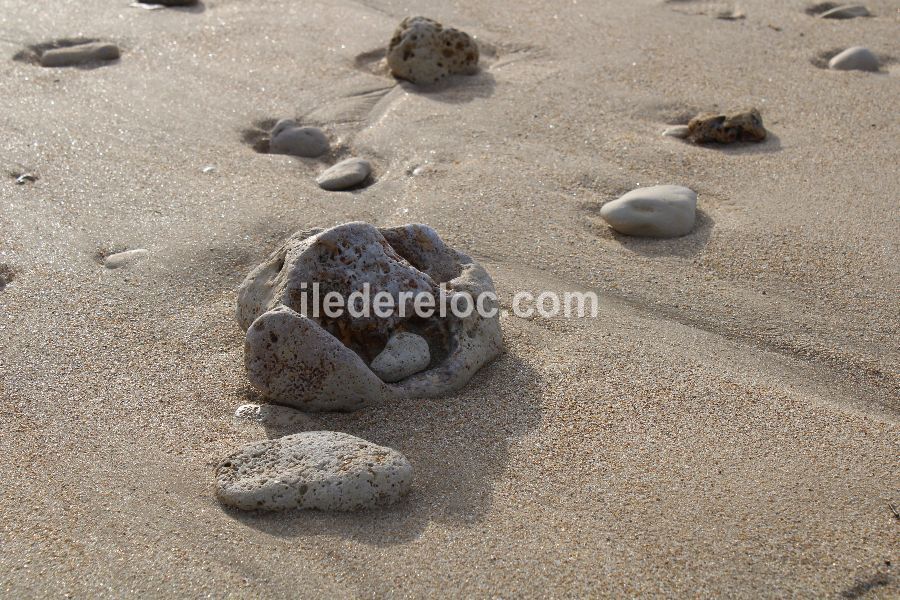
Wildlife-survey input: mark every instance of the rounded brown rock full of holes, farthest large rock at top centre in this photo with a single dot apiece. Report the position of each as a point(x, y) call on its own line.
point(423, 51)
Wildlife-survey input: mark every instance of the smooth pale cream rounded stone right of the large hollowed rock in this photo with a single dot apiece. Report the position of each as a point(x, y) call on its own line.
point(662, 211)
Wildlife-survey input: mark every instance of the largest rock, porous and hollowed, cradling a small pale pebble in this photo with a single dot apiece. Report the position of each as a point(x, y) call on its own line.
point(299, 354)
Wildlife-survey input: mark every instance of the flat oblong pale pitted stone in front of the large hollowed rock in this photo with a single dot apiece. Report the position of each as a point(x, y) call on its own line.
point(321, 470)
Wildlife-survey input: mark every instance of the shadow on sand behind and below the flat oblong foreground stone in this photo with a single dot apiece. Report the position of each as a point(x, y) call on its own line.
point(458, 446)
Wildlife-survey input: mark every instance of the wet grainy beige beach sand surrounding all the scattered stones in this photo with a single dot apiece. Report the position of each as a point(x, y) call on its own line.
point(728, 426)
